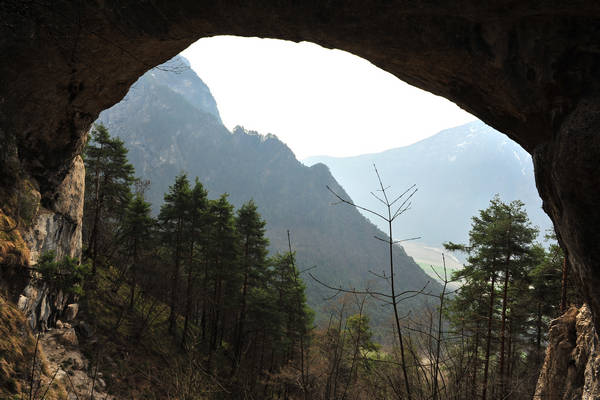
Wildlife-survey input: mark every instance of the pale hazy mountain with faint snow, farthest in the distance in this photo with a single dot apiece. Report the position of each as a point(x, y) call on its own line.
point(457, 172)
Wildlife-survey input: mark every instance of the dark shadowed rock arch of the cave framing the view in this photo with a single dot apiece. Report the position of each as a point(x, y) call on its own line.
point(527, 68)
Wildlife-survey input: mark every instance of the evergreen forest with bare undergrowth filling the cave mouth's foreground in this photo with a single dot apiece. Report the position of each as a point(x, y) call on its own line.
point(191, 304)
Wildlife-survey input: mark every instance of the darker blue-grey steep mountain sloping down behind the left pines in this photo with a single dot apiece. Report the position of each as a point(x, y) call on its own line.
point(170, 123)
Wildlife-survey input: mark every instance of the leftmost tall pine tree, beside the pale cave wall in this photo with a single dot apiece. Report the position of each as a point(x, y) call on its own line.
point(108, 180)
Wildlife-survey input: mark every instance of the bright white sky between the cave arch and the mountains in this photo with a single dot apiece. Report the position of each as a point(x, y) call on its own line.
point(318, 101)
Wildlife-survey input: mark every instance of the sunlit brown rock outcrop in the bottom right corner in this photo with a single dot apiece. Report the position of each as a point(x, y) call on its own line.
point(571, 369)
